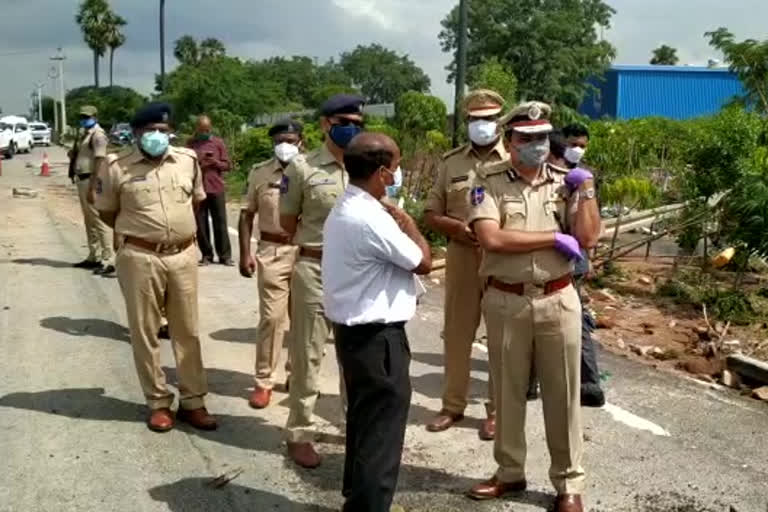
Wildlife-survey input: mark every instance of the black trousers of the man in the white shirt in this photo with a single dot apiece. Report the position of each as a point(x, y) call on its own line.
point(375, 359)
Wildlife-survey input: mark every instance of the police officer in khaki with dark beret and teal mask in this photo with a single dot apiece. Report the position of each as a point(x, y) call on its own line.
point(149, 196)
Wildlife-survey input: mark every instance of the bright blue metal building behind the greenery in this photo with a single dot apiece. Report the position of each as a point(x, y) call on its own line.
point(677, 92)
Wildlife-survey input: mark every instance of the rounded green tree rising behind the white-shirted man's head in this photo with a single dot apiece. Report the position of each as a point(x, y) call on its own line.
point(381, 74)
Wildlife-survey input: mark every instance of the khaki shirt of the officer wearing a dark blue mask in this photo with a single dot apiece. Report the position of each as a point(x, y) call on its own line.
point(311, 185)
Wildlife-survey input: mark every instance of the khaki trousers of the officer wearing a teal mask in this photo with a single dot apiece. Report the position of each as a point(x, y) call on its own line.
point(153, 283)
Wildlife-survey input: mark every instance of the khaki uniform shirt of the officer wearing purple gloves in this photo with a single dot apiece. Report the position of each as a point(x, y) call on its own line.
point(508, 199)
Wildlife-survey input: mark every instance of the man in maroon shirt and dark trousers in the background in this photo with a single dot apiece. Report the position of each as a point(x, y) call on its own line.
point(214, 161)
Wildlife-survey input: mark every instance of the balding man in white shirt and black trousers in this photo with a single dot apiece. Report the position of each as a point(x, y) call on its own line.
point(370, 255)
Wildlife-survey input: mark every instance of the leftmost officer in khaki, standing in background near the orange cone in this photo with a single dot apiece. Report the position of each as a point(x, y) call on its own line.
point(91, 154)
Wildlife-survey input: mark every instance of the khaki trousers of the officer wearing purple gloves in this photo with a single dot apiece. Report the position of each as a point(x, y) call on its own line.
point(547, 329)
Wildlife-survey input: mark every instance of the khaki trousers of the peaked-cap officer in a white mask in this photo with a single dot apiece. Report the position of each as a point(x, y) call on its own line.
point(463, 297)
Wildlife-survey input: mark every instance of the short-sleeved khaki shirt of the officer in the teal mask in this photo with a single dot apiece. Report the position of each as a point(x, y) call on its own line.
point(152, 200)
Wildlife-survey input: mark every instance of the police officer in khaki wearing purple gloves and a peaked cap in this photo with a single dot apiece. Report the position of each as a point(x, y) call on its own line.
point(521, 211)
